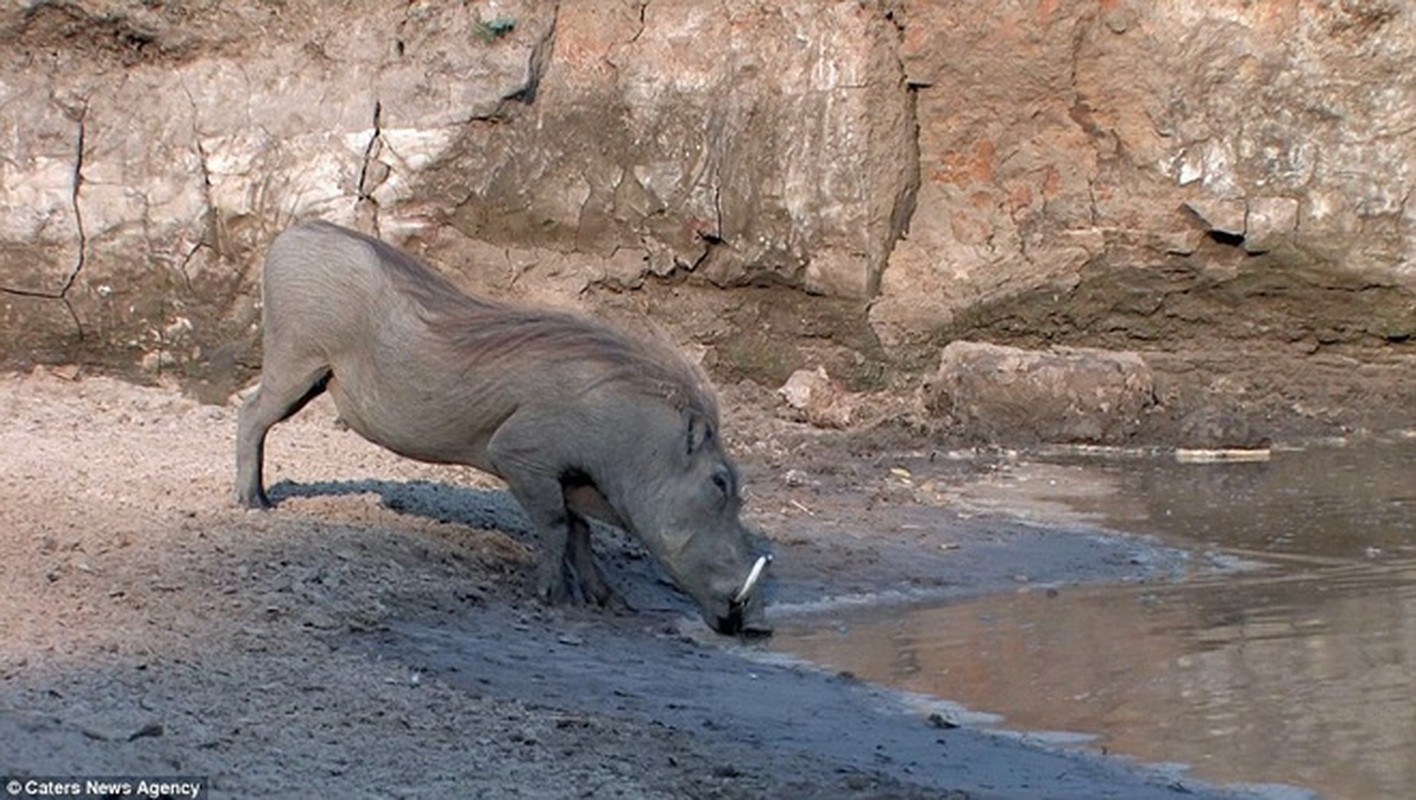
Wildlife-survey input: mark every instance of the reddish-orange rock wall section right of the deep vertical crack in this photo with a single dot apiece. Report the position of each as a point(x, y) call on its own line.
point(1109, 162)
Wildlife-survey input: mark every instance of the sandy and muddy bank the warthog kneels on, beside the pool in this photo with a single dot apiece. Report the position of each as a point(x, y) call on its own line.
point(373, 636)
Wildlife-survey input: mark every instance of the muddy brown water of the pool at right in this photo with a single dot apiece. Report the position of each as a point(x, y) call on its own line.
point(1301, 670)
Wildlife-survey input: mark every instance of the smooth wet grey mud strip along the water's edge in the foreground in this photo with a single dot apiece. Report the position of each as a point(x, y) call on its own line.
point(772, 730)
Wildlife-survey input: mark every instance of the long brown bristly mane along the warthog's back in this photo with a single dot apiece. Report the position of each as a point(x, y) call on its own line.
point(489, 331)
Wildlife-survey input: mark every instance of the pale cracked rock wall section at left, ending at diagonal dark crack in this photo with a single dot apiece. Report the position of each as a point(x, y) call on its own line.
point(154, 151)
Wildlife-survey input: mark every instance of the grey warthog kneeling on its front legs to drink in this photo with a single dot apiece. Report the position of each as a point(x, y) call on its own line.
point(578, 418)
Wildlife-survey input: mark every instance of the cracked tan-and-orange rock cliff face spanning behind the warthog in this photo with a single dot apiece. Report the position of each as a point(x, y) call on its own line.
point(869, 179)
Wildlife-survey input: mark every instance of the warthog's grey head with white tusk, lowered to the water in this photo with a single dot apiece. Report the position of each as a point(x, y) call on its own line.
point(693, 505)
